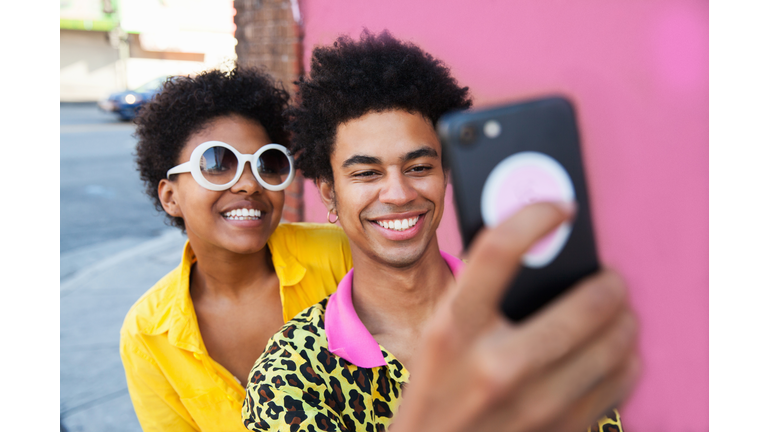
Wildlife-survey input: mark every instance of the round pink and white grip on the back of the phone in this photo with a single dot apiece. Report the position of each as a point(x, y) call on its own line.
point(525, 178)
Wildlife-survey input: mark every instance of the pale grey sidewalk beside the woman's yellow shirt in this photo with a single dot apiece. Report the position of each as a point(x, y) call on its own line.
point(94, 301)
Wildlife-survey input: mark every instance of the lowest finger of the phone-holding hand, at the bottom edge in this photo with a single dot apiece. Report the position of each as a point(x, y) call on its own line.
point(601, 400)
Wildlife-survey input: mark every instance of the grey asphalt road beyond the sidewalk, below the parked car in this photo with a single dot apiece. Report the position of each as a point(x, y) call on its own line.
point(102, 199)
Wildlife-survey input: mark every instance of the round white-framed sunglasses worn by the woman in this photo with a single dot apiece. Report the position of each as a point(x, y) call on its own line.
point(217, 166)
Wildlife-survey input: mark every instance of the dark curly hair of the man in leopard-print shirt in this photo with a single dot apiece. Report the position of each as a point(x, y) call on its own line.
point(352, 78)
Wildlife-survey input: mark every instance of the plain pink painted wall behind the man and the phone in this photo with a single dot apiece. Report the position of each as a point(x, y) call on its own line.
point(638, 74)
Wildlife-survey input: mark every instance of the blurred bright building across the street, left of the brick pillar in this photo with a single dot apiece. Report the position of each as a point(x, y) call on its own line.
point(110, 45)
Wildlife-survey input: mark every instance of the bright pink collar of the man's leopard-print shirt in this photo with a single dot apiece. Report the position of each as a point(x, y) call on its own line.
point(347, 336)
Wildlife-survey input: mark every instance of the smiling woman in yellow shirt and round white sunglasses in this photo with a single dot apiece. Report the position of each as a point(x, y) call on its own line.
point(213, 155)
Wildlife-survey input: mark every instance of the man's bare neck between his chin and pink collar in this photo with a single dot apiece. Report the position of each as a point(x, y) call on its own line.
point(394, 301)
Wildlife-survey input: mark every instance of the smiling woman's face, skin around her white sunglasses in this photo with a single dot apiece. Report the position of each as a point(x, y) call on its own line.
point(209, 215)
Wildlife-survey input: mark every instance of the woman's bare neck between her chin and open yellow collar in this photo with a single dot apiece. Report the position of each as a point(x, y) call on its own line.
point(224, 273)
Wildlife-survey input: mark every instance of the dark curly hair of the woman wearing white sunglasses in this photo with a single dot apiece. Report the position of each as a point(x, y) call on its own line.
point(187, 105)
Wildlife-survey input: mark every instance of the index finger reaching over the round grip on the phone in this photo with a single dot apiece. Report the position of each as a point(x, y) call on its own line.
point(494, 259)
